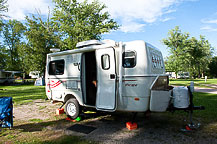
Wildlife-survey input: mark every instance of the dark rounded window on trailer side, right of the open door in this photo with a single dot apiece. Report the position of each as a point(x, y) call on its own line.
point(129, 59)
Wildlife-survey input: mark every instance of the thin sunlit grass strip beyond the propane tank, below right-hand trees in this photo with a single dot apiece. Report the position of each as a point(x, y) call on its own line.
point(197, 82)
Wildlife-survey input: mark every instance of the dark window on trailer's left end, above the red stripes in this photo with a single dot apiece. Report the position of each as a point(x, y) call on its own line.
point(56, 67)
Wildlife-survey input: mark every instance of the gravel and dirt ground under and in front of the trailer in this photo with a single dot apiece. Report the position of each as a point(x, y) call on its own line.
point(38, 118)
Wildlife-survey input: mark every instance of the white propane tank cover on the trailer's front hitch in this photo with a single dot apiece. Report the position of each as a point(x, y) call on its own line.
point(180, 97)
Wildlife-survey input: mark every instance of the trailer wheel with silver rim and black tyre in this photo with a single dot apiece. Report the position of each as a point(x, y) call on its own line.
point(72, 108)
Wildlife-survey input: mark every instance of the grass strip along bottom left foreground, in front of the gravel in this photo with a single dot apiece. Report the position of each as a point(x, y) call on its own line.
point(17, 137)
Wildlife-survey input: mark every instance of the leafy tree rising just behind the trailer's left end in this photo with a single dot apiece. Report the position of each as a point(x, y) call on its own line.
point(41, 38)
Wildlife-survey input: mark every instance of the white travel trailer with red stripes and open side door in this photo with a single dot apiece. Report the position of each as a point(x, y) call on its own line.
point(109, 76)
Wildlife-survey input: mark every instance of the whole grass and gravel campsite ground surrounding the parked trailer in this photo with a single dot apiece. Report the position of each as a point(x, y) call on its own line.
point(36, 122)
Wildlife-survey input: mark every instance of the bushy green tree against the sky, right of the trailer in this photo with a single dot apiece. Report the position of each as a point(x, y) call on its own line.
point(188, 54)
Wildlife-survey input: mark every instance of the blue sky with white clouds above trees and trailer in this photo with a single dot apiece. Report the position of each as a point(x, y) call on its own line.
point(148, 20)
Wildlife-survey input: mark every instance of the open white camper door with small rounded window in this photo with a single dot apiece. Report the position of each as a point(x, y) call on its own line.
point(106, 78)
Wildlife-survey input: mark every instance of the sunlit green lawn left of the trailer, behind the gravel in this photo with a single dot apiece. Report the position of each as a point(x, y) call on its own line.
point(23, 93)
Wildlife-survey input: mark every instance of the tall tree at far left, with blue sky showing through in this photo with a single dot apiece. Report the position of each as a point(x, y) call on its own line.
point(12, 38)
